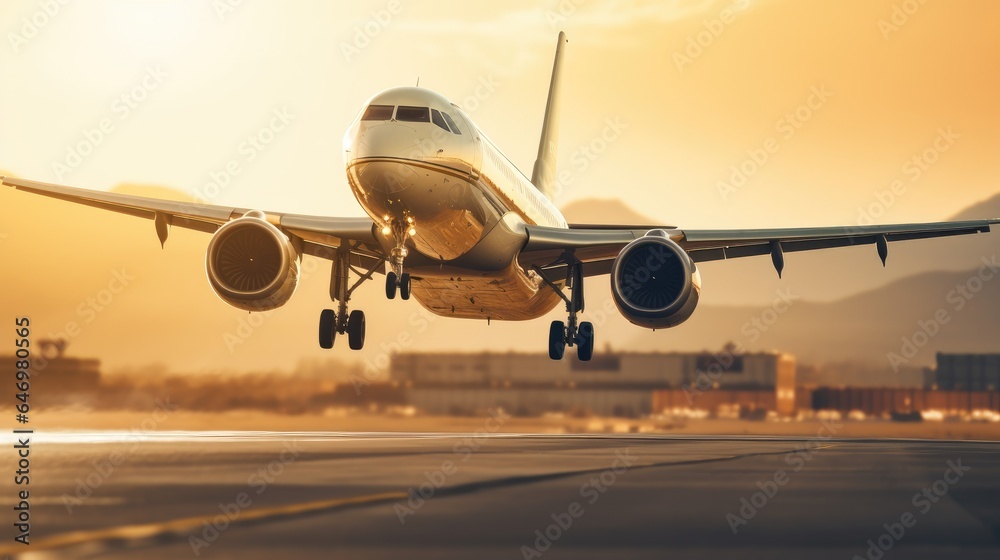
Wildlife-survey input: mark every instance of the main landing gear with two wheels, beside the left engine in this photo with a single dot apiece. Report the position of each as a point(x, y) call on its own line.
point(332, 323)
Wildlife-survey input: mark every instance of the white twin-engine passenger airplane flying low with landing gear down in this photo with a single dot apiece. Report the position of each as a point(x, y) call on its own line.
point(454, 224)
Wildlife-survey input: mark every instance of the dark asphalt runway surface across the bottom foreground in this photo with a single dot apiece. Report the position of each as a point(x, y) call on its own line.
point(353, 495)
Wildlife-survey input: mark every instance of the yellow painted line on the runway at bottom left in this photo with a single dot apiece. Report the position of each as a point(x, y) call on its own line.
point(188, 524)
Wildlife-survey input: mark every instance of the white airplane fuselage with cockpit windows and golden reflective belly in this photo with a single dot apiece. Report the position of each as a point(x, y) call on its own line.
point(413, 157)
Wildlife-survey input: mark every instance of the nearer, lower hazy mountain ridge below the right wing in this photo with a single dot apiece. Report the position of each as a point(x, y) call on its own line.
point(906, 321)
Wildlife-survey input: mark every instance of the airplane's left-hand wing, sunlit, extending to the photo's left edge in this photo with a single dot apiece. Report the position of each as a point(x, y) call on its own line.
point(320, 235)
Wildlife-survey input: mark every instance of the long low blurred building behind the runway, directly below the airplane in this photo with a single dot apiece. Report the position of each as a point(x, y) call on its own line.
point(626, 384)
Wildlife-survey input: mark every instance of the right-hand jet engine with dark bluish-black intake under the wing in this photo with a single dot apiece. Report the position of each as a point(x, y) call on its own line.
point(654, 282)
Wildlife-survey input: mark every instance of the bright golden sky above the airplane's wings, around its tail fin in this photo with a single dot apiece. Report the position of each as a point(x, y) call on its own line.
point(691, 112)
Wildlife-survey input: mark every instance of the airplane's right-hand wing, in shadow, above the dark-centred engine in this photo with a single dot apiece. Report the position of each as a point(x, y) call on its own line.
point(597, 246)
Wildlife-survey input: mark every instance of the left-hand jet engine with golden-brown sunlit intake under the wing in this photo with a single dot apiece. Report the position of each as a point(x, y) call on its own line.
point(251, 264)
